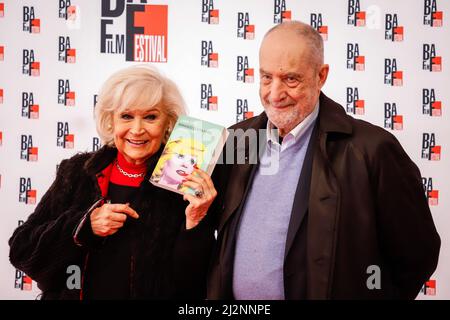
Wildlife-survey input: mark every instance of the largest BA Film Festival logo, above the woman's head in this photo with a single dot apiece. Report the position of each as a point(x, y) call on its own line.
point(146, 31)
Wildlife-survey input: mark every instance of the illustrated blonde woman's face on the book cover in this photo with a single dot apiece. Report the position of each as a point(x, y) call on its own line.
point(178, 160)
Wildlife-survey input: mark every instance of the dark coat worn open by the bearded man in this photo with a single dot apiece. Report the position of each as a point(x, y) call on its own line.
point(366, 206)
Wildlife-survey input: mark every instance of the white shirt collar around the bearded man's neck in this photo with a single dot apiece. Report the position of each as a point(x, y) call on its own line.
point(293, 135)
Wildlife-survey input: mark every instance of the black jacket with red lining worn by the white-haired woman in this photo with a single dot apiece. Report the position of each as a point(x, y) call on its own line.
point(170, 261)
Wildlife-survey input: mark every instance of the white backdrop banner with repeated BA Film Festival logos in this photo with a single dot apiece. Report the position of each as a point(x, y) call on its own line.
point(388, 65)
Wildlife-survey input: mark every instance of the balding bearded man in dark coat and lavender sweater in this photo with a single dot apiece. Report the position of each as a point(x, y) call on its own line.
point(343, 216)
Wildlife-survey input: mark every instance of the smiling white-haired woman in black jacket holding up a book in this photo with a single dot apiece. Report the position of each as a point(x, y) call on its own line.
point(101, 216)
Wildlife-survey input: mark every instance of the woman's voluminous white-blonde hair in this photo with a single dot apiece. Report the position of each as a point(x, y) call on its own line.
point(135, 87)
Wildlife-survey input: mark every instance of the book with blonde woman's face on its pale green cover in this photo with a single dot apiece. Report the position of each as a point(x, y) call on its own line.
point(192, 143)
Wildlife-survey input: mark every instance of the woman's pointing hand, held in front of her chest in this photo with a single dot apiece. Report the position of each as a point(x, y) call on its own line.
point(109, 218)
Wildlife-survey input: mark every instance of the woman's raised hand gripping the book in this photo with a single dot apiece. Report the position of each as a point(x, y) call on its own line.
point(198, 205)
